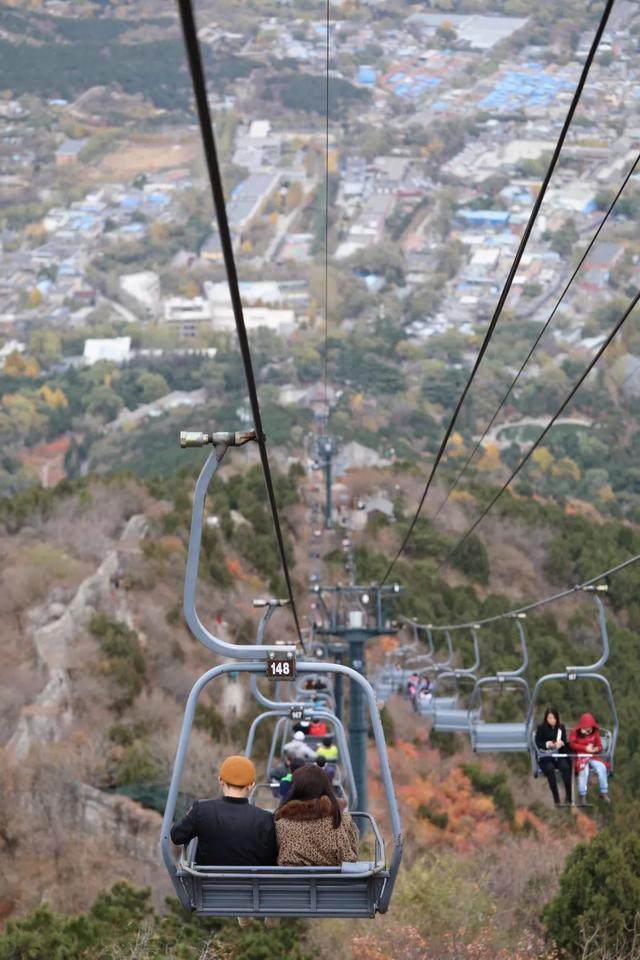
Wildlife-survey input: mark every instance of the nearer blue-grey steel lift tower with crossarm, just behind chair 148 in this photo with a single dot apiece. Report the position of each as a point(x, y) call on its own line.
point(352, 616)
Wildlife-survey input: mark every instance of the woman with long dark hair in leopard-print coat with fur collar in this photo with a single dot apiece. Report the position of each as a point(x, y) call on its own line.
point(310, 827)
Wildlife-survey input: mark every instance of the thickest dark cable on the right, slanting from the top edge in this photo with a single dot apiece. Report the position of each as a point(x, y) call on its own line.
point(511, 276)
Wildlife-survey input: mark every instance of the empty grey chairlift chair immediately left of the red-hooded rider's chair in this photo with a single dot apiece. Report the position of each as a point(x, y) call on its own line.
point(501, 737)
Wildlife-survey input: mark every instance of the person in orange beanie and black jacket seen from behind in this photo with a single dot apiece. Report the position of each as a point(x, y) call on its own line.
point(230, 830)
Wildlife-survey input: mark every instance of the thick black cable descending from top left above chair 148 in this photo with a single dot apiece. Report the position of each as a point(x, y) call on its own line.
point(215, 179)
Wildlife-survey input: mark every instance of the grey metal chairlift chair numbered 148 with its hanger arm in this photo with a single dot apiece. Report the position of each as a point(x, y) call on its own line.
point(359, 889)
